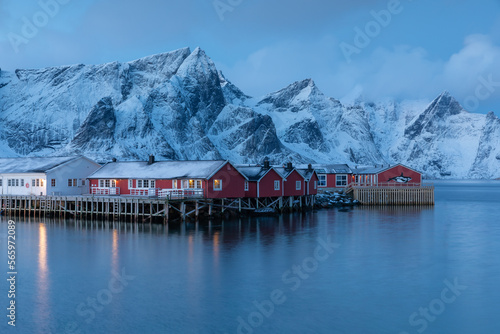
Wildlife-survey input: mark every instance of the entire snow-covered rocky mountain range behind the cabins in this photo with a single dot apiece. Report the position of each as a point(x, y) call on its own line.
point(177, 105)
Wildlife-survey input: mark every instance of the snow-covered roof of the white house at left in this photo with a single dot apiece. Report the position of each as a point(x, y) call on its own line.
point(31, 165)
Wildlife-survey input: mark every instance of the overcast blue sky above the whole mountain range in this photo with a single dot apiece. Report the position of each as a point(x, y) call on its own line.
point(408, 49)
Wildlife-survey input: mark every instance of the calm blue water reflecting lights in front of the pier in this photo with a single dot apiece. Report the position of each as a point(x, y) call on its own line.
point(383, 270)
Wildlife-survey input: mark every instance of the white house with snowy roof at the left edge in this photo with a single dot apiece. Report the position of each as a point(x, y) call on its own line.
point(45, 176)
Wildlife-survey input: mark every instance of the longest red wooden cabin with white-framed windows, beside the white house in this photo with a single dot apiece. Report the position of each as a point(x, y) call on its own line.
point(173, 179)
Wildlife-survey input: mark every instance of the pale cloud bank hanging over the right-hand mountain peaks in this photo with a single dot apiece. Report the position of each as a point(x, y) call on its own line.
point(401, 72)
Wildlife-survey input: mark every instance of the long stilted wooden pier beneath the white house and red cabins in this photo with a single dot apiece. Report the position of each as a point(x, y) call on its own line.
point(145, 209)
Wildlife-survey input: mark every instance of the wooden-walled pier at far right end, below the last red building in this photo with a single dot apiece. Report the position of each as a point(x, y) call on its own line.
point(393, 195)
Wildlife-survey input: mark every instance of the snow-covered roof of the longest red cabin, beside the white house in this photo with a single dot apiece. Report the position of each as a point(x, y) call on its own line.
point(159, 170)
